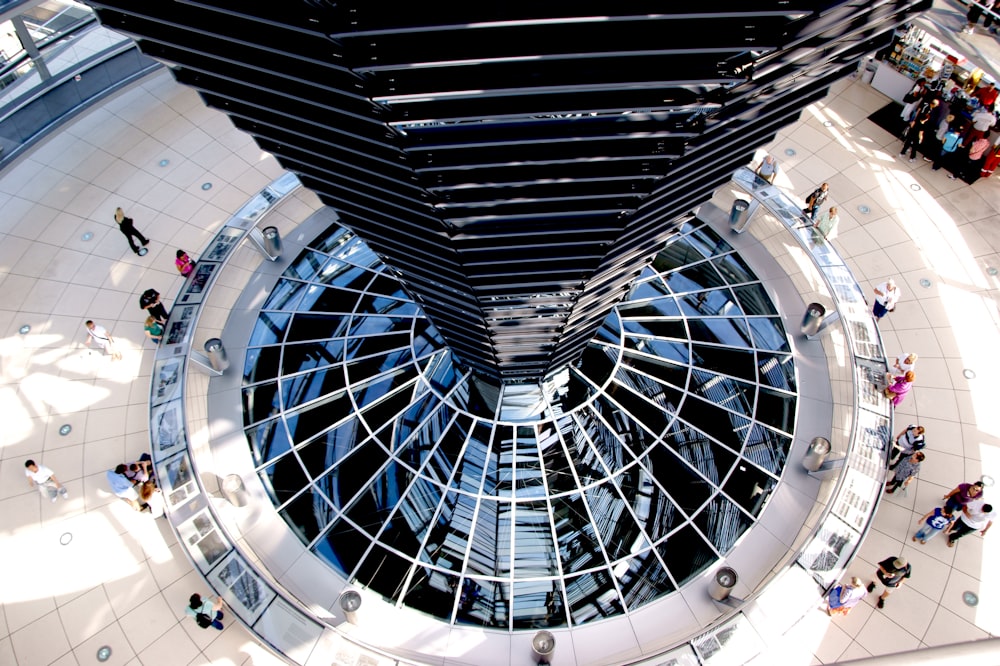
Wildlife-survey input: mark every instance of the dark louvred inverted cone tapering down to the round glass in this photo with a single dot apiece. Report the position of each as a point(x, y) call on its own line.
point(516, 164)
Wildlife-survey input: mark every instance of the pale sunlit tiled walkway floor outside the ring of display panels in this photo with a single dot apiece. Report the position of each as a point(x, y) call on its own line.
point(120, 579)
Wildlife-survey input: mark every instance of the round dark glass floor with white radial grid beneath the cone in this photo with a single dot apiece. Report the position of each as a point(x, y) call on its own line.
point(515, 507)
